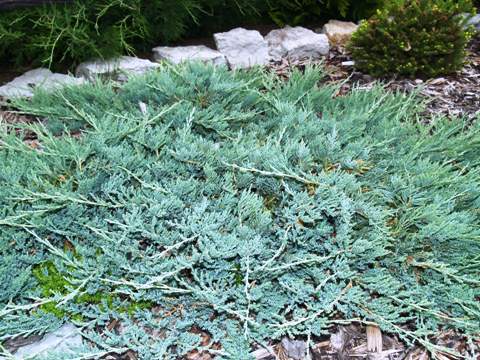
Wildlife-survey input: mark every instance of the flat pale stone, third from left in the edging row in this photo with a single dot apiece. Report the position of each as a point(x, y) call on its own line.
point(179, 54)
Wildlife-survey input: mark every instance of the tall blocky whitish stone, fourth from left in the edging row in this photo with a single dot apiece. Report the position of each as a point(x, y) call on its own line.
point(242, 48)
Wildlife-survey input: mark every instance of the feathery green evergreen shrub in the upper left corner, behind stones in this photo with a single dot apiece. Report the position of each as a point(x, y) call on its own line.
point(66, 34)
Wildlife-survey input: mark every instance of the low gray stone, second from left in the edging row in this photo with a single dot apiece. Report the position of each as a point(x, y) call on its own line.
point(116, 69)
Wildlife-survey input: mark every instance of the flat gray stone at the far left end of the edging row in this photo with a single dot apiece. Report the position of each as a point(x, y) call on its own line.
point(24, 85)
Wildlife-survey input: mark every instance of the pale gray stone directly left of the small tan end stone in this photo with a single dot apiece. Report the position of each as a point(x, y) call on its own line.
point(295, 43)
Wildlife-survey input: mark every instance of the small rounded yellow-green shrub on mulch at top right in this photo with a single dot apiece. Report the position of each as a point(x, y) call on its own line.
point(413, 38)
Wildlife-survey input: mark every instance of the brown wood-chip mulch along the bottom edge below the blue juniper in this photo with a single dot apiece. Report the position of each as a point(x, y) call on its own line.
point(344, 342)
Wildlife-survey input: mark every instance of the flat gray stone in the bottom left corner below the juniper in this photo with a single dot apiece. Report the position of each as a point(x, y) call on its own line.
point(59, 341)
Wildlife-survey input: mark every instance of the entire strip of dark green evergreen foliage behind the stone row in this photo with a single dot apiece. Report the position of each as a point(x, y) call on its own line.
point(62, 35)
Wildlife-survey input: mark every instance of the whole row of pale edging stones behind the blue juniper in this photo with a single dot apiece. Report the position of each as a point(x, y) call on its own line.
point(238, 49)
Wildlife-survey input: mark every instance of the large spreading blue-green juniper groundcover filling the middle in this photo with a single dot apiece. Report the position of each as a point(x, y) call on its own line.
point(238, 204)
